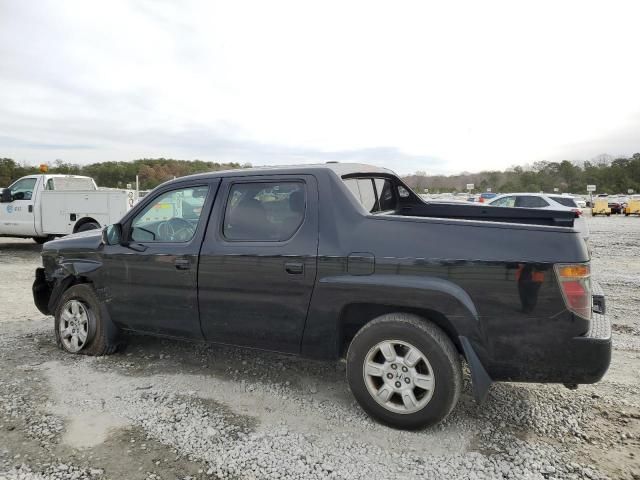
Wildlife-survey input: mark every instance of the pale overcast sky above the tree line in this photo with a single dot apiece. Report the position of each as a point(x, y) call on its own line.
point(436, 86)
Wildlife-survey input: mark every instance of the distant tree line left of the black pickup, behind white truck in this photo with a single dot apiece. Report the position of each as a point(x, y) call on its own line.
point(151, 171)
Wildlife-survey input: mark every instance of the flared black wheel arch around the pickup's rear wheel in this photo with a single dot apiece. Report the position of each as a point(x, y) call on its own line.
point(341, 305)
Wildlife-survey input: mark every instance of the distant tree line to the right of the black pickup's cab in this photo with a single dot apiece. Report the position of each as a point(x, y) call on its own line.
point(610, 175)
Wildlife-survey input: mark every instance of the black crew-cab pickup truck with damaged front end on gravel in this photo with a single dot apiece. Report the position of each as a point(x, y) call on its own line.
point(340, 261)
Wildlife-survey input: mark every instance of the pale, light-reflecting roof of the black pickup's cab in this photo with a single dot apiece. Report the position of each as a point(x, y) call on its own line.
point(340, 169)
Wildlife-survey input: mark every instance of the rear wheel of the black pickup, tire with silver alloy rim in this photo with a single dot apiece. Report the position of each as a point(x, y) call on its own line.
point(440, 362)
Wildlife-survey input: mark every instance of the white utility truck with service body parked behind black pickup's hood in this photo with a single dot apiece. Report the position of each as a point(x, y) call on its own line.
point(46, 206)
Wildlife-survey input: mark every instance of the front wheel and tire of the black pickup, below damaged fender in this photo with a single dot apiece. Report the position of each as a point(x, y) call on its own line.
point(96, 334)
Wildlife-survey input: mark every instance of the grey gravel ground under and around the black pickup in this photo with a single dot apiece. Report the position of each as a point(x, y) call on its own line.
point(164, 409)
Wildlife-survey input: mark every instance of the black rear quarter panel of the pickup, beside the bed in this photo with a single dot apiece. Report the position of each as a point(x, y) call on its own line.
point(512, 321)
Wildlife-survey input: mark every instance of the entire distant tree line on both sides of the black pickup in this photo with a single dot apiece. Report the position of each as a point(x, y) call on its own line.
point(610, 175)
